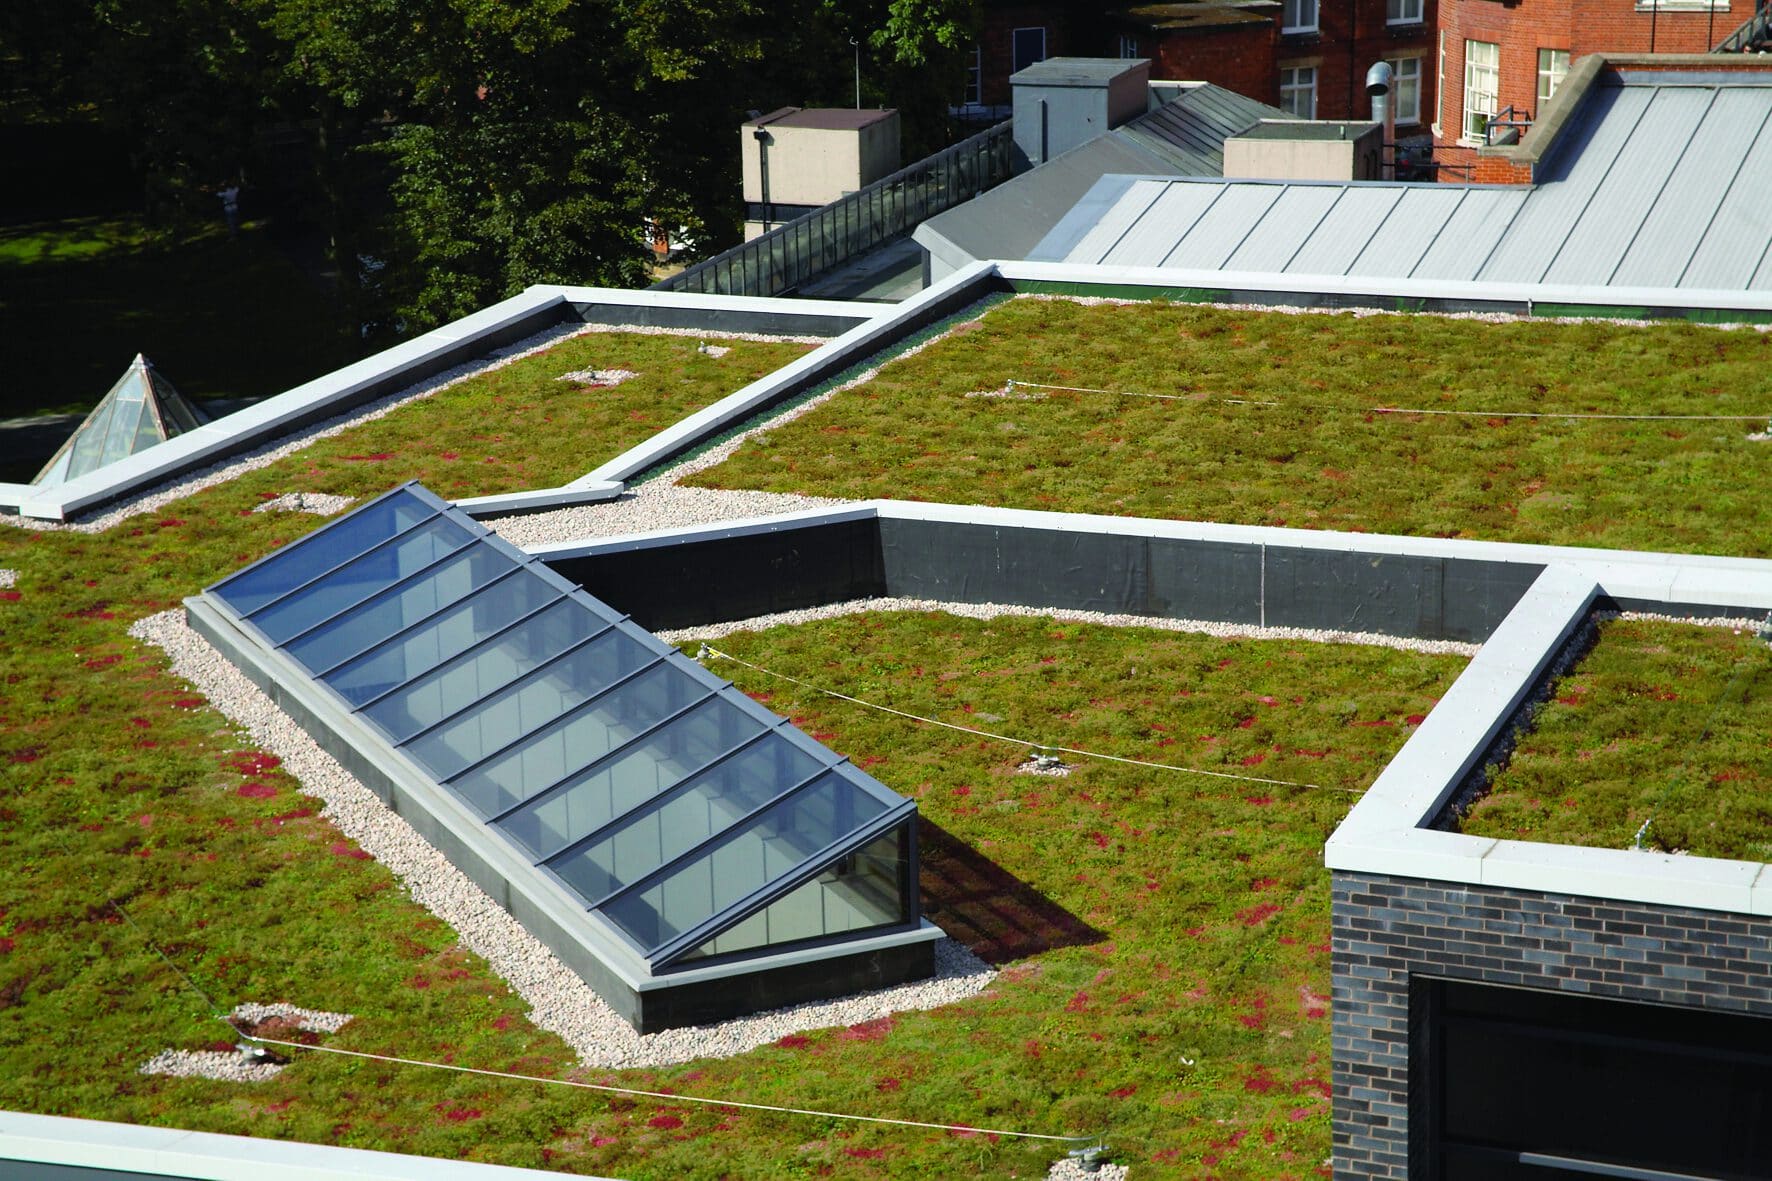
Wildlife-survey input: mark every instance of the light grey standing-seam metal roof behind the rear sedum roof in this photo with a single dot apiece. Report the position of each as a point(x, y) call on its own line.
point(1652, 184)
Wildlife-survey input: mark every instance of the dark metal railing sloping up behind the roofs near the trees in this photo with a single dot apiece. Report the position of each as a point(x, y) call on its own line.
point(825, 239)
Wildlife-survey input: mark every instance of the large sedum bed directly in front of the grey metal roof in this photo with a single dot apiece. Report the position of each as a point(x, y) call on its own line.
point(1266, 419)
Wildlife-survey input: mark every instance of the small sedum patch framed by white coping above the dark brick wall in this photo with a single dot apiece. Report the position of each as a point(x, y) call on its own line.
point(1659, 723)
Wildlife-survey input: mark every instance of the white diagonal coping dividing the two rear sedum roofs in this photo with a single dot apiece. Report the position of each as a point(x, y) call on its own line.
point(828, 359)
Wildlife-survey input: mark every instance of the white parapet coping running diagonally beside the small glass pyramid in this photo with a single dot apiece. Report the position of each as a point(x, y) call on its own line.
point(263, 421)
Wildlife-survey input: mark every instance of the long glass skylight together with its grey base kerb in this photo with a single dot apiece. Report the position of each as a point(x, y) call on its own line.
point(690, 854)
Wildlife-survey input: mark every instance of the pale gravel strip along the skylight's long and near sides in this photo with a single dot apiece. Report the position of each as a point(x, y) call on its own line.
point(559, 1001)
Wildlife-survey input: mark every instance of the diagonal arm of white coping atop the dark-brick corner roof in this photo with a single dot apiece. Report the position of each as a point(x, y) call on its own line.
point(1415, 786)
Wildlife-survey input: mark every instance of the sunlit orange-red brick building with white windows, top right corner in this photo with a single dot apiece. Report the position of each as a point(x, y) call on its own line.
point(1511, 58)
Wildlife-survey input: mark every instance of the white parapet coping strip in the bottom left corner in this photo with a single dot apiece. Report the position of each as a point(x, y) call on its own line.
point(59, 1145)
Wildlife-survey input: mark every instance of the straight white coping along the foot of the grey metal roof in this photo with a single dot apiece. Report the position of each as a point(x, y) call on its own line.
point(1387, 286)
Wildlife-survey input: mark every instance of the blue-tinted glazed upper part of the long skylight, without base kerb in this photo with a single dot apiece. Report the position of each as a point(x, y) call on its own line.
point(690, 820)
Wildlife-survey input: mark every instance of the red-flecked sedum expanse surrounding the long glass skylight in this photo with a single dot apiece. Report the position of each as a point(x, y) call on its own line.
point(1163, 939)
